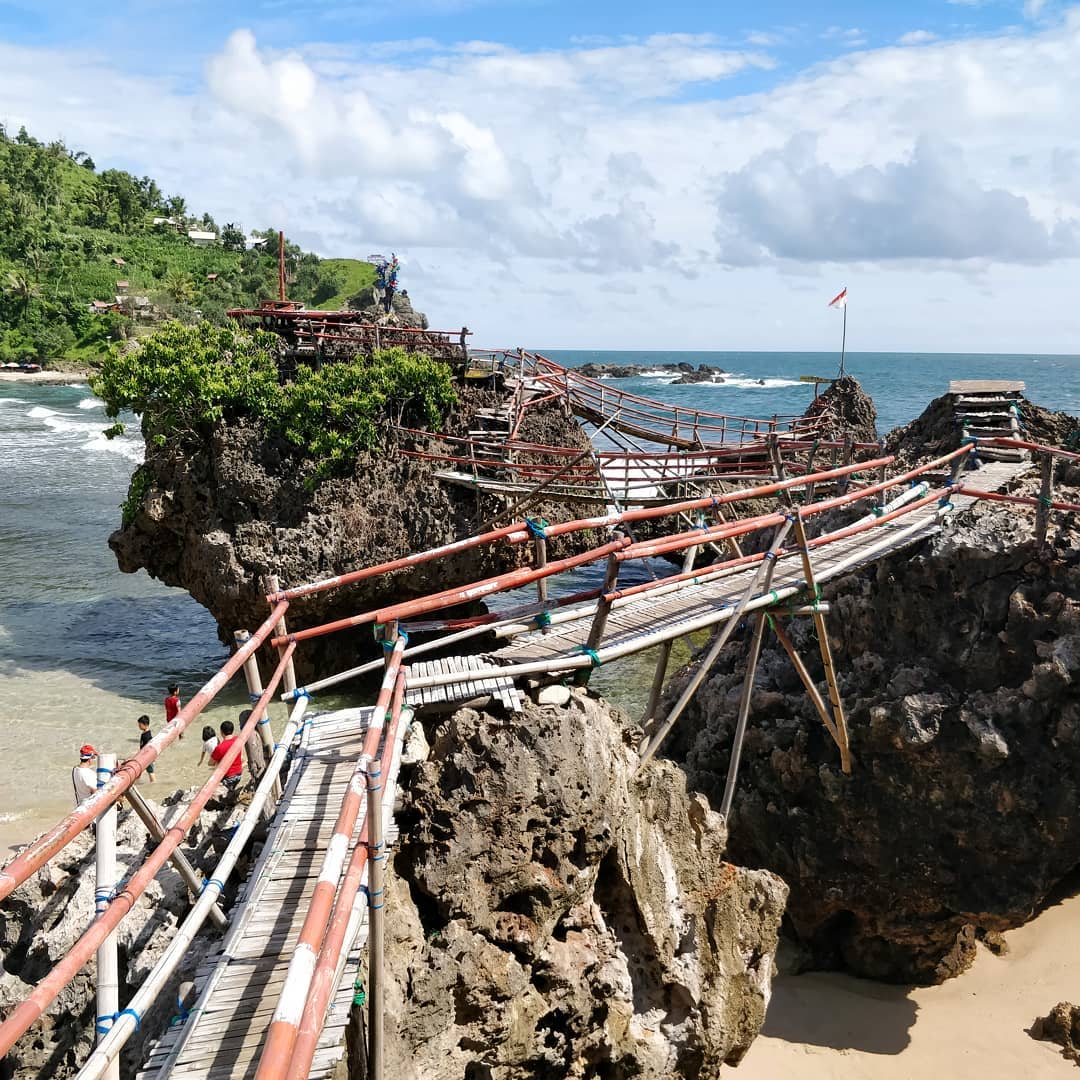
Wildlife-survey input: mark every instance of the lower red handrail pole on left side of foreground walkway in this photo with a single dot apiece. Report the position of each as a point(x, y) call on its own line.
point(51, 985)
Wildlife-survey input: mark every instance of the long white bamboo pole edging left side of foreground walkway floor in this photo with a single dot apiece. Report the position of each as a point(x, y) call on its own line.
point(109, 1049)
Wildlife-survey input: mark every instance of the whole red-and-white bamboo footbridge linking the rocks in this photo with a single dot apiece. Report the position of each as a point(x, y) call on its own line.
point(279, 994)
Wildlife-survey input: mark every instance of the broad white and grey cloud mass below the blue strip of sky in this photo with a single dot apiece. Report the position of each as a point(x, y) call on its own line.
point(506, 179)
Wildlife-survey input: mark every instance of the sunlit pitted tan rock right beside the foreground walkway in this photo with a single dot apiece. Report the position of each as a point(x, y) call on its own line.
point(553, 916)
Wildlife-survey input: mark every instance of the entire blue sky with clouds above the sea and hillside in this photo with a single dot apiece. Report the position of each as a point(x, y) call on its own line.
point(612, 175)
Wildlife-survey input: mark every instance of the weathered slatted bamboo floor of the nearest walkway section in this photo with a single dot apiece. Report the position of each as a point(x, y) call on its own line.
point(238, 985)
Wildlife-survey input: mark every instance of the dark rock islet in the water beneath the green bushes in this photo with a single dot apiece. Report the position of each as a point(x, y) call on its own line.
point(217, 522)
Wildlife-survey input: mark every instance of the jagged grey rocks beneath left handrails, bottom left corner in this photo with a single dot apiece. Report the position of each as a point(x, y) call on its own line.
point(42, 921)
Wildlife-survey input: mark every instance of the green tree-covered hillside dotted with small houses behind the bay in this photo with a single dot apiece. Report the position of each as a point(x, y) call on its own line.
point(71, 236)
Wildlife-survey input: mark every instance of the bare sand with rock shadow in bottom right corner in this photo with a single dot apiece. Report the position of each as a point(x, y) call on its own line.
point(835, 1028)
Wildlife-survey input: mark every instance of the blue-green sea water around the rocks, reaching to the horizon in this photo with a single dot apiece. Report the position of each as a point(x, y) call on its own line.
point(85, 650)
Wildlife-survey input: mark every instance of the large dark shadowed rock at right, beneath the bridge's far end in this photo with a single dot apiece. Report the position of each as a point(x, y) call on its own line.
point(960, 669)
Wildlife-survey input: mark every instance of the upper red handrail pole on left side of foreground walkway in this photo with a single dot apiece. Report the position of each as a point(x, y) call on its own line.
point(36, 855)
